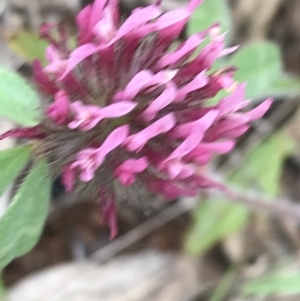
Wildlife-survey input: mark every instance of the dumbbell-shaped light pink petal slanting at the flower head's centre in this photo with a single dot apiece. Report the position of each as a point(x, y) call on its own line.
point(137, 141)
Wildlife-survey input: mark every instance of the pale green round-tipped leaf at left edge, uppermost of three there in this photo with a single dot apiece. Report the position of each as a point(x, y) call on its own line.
point(18, 101)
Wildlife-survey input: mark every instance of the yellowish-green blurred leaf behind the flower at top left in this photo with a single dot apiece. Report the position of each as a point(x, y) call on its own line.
point(29, 45)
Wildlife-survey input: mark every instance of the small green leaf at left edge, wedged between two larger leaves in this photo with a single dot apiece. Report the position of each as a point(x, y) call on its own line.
point(12, 161)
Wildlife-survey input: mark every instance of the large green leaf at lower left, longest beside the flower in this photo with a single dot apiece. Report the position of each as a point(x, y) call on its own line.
point(22, 223)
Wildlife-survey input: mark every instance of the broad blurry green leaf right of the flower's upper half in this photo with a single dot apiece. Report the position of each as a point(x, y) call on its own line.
point(260, 65)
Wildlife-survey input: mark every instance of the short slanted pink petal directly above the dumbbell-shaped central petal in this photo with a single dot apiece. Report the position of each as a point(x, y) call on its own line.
point(163, 100)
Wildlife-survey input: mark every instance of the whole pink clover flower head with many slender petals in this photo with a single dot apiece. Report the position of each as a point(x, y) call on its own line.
point(131, 104)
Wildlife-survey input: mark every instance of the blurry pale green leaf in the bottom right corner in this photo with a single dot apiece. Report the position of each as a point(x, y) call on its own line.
point(278, 283)
